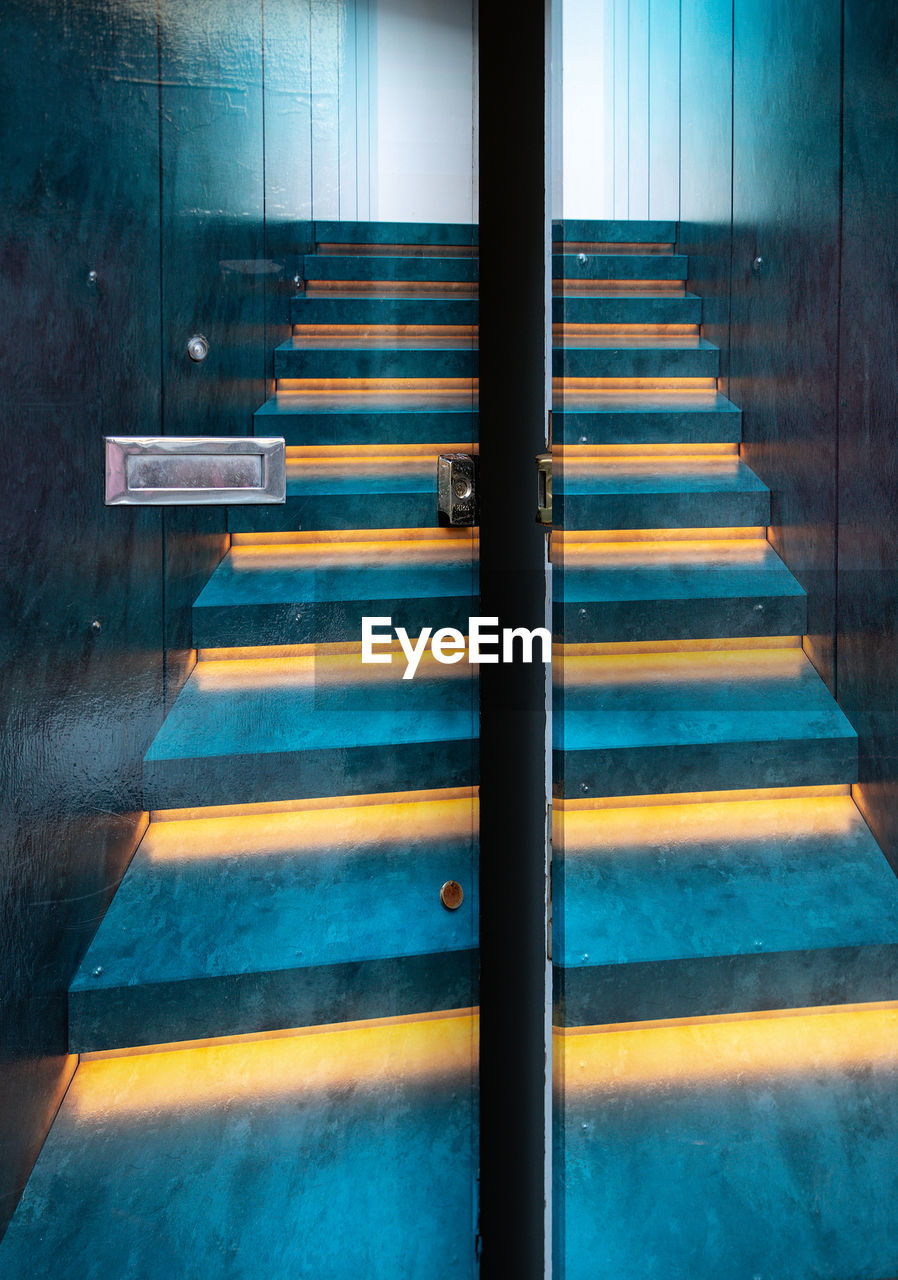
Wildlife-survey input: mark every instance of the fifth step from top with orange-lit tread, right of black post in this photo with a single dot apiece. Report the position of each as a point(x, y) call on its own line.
point(645, 418)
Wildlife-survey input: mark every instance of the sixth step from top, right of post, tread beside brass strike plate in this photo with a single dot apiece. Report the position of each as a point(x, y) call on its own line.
point(659, 493)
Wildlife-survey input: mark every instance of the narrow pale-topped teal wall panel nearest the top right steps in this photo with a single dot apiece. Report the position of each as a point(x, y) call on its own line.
point(707, 156)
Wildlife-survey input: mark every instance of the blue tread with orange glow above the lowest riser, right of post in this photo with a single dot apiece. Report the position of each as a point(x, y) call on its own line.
point(667, 884)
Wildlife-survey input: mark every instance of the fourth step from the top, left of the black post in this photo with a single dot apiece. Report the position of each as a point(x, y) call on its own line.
point(378, 356)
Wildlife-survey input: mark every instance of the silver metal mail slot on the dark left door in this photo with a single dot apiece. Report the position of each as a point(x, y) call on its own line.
point(201, 470)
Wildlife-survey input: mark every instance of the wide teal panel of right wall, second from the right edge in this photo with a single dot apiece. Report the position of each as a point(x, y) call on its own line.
point(786, 211)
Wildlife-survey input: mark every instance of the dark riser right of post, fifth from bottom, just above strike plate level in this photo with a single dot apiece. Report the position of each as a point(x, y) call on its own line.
point(642, 428)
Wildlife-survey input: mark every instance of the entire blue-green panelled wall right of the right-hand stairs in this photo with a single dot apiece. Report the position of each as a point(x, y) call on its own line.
point(790, 156)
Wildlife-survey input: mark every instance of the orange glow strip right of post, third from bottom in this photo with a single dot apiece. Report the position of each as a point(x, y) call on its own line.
point(686, 668)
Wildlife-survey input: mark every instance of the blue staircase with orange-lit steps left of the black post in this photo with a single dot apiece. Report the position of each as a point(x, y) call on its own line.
point(277, 1017)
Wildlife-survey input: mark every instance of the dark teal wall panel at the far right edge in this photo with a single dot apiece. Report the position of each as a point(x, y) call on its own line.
point(868, 578)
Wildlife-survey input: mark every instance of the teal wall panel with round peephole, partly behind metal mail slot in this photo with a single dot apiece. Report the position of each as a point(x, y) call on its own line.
point(214, 277)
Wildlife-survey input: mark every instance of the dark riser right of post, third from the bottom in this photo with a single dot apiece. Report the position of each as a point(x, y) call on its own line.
point(610, 621)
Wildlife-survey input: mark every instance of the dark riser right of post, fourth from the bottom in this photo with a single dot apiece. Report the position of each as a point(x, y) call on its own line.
point(714, 510)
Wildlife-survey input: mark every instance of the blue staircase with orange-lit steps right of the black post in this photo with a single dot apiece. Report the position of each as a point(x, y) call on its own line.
point(726, 929)
